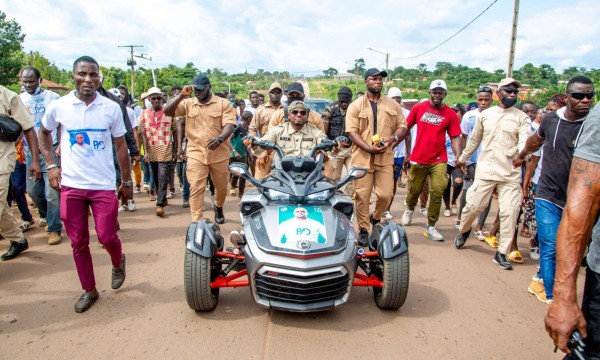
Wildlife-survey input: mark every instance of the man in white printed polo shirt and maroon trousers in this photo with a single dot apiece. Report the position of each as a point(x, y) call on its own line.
point(89, 123)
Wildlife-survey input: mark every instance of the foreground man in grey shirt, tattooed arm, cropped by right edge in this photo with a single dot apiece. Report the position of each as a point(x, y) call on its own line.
point(579, 221)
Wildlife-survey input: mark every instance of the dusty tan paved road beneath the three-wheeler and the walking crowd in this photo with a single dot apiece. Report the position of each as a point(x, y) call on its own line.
point(460, 305)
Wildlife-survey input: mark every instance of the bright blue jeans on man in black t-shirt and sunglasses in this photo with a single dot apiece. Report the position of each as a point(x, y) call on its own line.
point(548, 218)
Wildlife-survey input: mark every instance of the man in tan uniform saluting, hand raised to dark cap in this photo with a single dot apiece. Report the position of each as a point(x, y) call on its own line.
point(209, 120)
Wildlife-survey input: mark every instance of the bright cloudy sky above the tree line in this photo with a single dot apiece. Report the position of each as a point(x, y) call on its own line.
point(308, 36)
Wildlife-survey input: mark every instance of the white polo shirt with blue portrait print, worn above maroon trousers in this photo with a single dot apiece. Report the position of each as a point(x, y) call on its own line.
point(87, 133)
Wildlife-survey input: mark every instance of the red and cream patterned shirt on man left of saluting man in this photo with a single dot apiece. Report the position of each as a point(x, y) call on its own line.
point(158, 129)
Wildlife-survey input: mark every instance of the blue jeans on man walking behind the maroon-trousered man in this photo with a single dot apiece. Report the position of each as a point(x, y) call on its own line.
point(44, 196)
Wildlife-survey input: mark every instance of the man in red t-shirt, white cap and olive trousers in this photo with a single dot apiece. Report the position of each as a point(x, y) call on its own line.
point(429, 156)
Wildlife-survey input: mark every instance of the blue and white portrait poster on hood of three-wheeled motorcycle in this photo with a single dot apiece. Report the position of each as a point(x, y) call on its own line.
point(300, 227)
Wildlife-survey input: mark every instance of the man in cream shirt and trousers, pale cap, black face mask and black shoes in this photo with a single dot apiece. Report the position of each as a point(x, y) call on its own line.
point(502, 131)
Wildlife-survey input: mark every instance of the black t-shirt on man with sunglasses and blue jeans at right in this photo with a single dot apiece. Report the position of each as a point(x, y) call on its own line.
point(560, 137)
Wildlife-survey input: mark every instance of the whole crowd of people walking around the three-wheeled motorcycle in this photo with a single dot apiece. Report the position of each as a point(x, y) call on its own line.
point(95, 148)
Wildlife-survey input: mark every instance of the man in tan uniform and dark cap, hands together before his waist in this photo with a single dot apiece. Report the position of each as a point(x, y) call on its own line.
point(367, 116)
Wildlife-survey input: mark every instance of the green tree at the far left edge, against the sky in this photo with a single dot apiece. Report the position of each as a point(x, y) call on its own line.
point(11, 45)
